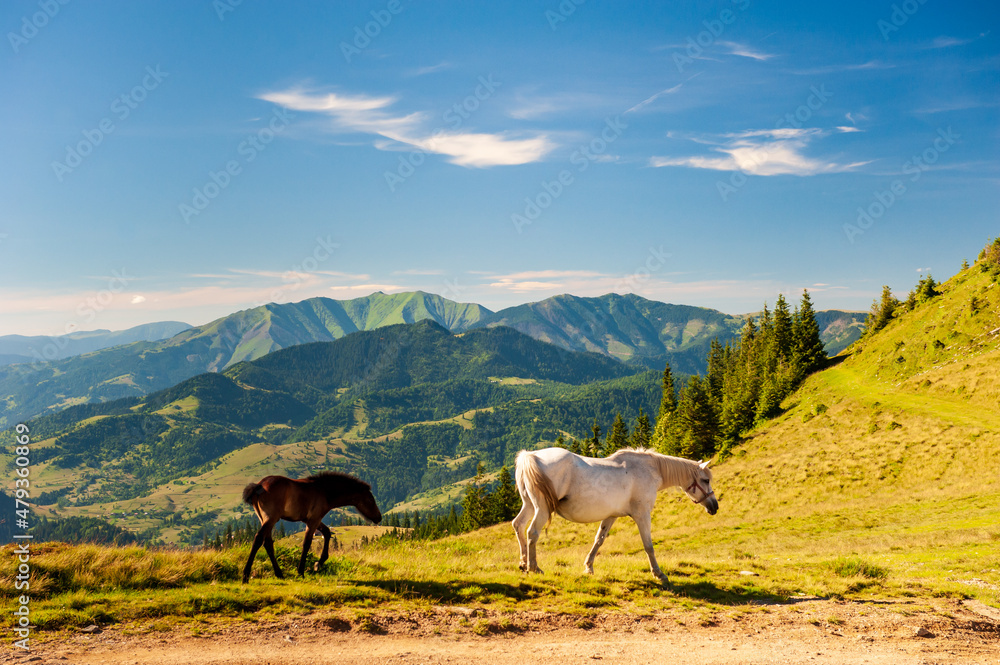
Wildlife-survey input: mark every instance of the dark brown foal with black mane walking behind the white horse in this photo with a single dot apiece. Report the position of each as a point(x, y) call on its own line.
point(308, 500)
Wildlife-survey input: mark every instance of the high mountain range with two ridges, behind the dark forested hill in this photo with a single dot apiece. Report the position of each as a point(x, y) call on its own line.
point(628, 328)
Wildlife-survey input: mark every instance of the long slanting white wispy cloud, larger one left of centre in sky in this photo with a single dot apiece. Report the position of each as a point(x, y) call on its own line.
point(372, 115)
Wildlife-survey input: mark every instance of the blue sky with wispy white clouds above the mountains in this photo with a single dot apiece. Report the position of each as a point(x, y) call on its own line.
point(185, 160)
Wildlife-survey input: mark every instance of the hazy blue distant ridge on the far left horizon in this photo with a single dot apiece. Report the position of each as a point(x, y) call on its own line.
point(42, 348)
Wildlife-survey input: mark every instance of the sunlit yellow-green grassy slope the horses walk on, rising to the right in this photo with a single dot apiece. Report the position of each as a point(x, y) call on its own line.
point(879, 480)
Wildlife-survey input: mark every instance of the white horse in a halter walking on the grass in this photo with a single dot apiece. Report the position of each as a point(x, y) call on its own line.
point(583, 489)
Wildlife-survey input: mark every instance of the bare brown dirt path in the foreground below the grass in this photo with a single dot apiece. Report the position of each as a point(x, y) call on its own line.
point(818, 631)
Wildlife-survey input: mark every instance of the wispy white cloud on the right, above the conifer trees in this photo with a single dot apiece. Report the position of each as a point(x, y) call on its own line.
point(763, 152)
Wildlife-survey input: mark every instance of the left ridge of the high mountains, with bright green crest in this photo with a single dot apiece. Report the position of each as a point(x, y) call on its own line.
point(143, 367)
